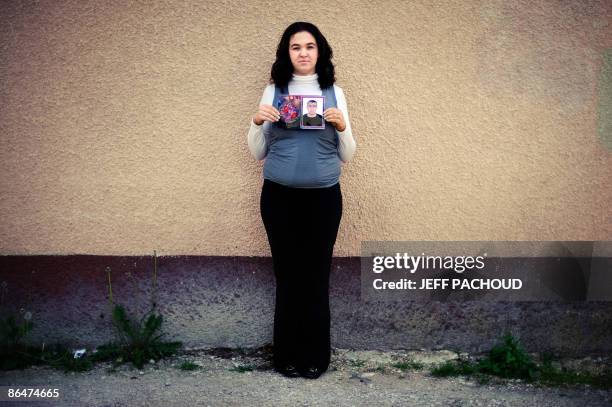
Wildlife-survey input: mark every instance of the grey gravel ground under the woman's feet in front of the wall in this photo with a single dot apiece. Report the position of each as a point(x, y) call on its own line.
point(355, 378)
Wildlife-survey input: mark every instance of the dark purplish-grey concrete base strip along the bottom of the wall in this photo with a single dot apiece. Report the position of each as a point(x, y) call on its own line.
point(209, 301)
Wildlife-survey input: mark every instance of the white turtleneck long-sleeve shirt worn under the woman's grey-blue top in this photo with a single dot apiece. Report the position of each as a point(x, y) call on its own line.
point(306, 85)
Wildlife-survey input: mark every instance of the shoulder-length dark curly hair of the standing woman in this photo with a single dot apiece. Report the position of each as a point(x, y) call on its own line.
point(282, 69)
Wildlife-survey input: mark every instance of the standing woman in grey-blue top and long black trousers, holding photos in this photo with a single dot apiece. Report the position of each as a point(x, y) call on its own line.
point(301, 201)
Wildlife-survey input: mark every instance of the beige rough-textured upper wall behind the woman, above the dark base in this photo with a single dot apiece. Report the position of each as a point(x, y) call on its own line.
point(123, 124)
